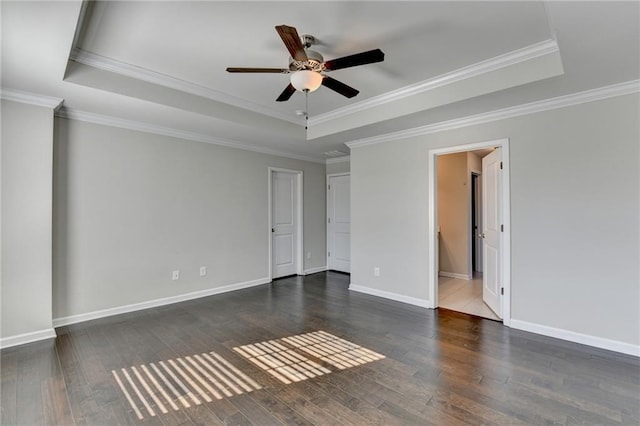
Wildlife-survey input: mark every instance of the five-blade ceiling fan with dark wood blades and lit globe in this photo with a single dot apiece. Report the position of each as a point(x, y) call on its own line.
point(306, 66)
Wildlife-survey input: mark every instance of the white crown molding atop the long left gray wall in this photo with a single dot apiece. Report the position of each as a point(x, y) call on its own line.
point(139, 126)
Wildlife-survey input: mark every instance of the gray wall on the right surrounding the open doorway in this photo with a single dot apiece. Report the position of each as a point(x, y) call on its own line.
point(574, 214)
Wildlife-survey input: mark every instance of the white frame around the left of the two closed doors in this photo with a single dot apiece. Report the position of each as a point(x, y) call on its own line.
point(299, 215)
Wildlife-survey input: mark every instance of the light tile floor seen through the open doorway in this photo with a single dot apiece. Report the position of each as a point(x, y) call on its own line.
point(464, 296)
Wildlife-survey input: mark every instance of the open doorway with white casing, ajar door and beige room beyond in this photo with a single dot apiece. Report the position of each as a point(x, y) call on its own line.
point(480, 274)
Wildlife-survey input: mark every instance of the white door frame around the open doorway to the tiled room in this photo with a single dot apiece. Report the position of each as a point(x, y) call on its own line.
point(506, 219)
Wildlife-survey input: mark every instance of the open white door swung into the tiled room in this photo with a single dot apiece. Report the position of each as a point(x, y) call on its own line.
point(491, 228)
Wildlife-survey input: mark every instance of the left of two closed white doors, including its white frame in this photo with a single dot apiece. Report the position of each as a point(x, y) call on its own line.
point(285, 222)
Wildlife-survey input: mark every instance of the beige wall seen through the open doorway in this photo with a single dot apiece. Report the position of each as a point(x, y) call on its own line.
point(453, 214)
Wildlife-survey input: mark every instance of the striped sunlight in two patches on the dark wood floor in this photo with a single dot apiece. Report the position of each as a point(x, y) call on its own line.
point(161, 386)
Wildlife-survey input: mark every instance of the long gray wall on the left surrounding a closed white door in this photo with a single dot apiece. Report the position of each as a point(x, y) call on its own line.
point(130, 207)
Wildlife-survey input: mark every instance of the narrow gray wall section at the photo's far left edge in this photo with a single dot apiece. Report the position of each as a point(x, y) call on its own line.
point(27, 146)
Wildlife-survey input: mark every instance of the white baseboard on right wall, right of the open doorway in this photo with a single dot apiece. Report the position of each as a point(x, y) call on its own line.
point(572, 336)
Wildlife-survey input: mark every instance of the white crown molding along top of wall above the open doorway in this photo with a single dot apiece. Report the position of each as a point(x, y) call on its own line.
point(611, 91)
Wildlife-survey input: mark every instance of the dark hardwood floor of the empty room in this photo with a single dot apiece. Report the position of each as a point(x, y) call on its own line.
point(440, 367)
